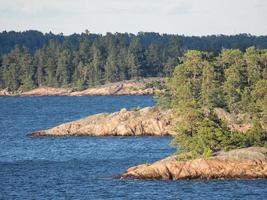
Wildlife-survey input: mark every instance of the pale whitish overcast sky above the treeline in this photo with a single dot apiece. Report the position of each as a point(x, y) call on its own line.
point(188, 17)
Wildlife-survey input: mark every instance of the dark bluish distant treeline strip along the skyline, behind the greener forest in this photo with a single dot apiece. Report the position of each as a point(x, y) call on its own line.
point(34, 40)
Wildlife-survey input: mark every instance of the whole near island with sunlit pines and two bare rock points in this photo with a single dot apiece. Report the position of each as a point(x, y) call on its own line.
point(214, 107)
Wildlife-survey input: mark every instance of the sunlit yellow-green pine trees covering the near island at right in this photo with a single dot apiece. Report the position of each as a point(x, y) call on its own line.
point(235, 81)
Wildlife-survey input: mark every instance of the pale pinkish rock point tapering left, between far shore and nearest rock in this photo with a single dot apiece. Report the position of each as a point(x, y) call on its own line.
point(145, 121)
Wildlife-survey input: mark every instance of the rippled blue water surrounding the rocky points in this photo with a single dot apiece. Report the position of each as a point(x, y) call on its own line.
point(83, 167)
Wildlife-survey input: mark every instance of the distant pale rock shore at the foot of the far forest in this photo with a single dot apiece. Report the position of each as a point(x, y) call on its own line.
point(119, 88)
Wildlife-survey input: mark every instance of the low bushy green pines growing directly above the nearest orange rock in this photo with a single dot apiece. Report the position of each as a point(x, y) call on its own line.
point(210, 136)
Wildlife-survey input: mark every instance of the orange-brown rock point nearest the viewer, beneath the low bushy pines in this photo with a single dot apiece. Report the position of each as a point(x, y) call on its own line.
point(249, 163)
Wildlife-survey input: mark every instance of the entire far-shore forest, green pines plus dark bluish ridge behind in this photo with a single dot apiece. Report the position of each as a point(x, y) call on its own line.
point(32, 59)
